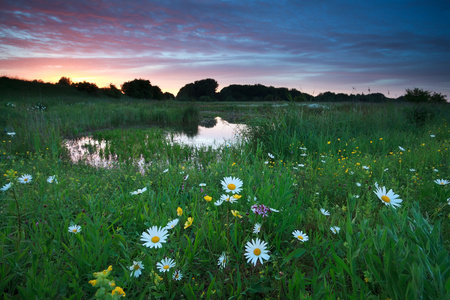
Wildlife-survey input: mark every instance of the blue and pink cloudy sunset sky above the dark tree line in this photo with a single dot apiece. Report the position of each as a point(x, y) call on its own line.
point(377, 46)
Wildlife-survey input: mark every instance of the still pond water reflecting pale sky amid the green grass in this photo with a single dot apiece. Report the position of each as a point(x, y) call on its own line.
point(212, 133)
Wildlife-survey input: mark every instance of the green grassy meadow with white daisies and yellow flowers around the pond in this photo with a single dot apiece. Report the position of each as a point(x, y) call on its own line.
point(299, 208)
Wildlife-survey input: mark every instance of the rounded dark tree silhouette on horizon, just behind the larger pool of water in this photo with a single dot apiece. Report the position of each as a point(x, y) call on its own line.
point(194, 91)
